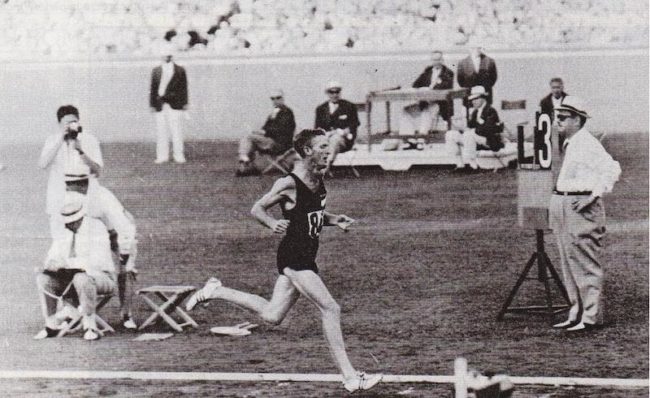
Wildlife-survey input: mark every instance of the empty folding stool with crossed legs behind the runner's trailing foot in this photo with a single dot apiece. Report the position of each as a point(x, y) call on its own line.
point(171, 298)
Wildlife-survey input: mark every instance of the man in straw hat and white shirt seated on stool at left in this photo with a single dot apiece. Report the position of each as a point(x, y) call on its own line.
point(78, 259)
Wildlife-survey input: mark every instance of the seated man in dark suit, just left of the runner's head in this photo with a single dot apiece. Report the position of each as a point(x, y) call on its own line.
point(275, 137)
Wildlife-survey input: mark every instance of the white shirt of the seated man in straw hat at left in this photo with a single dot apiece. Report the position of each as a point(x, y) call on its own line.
point(89, 250)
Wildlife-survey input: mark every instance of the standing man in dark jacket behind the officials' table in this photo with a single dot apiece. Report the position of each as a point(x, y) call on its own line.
point(477, 70)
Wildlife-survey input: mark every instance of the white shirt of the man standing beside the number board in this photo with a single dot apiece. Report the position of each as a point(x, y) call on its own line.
point(587, 166)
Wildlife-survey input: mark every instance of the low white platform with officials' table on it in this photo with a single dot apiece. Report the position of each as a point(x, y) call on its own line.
point(399, 152)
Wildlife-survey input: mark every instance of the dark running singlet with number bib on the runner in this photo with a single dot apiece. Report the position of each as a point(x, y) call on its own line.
point(299, 246)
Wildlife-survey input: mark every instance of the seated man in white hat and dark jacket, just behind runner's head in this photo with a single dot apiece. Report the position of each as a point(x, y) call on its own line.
point(339, 118)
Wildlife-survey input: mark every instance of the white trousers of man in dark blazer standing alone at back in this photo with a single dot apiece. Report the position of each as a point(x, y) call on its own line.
point(168, 125)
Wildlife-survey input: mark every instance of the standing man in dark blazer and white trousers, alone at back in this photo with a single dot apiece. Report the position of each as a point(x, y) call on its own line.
point(168, 99)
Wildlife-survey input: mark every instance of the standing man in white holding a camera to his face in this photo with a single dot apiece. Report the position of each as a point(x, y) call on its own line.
point(72, 151)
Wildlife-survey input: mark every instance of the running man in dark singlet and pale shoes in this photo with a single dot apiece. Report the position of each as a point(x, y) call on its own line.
point(301, 196)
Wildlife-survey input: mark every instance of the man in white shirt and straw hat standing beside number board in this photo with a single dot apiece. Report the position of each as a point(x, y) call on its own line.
point(577, 214)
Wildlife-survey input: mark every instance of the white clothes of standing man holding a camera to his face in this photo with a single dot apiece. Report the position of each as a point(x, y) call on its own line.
point(68, 161)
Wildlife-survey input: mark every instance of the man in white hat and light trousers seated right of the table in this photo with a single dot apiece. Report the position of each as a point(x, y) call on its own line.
point(483, 132)
